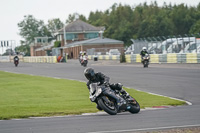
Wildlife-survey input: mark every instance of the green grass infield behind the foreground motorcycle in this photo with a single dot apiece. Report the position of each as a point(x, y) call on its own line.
point(23, 96)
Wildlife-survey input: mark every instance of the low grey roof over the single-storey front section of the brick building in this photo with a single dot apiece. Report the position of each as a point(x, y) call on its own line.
point(94, 41)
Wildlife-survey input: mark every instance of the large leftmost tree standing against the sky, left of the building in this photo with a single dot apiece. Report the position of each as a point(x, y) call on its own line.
point(31, 28)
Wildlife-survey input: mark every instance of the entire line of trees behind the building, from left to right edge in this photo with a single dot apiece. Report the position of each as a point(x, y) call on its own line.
point(124, 22)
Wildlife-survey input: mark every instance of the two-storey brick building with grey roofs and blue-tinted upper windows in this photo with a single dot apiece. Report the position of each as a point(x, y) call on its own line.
point(81, 36)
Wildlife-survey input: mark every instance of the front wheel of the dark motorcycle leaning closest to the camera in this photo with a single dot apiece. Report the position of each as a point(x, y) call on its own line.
point(108, 106)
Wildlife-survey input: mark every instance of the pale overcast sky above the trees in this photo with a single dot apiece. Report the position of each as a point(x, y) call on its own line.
point(13, 11)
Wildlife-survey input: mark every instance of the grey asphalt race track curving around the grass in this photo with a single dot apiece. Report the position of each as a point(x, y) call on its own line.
point(175, 80)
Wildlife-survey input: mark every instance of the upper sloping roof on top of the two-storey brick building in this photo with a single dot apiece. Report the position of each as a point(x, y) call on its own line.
point(80, 26)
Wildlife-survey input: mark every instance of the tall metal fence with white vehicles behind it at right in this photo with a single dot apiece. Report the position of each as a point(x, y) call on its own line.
point(169, 44)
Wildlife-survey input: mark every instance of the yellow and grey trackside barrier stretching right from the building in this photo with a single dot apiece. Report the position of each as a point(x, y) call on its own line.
point(155, 58)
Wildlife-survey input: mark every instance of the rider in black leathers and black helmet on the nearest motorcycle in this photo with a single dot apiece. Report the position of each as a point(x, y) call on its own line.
point(100, 78)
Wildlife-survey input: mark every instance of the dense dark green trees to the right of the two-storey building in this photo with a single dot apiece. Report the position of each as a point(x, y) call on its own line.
point(122, 22)
